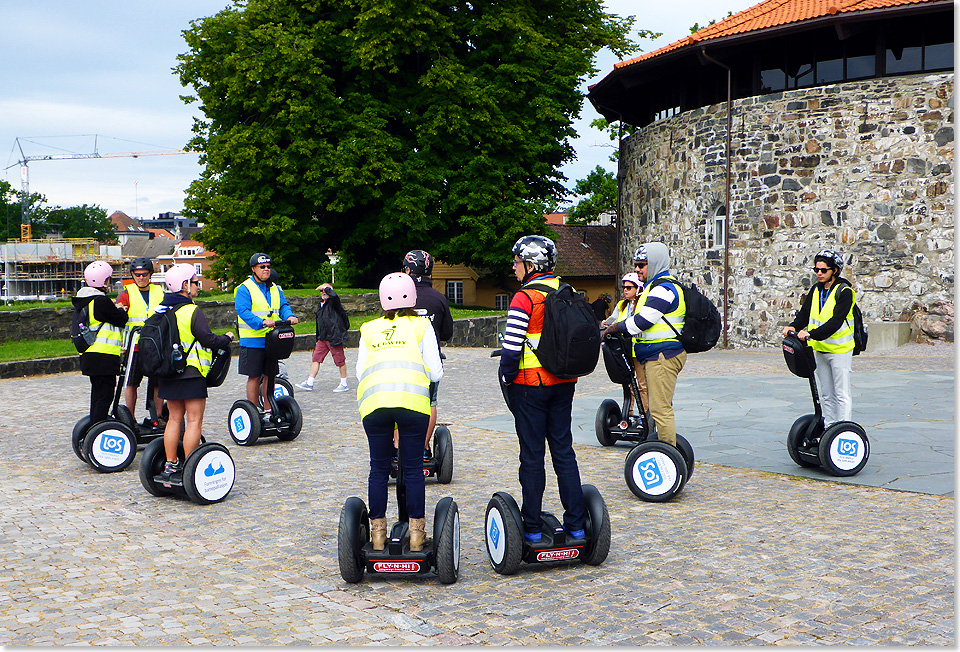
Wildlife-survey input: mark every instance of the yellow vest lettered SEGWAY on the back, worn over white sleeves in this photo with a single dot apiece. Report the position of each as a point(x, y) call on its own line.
point(394, 374)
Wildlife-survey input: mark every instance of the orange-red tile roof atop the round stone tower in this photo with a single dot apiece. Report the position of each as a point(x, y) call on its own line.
point(772, 13)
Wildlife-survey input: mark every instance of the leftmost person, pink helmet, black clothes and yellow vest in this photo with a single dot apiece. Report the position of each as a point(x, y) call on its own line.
point(101, 361)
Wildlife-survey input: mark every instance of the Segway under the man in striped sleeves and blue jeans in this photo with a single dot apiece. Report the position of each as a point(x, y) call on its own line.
point(507, 547)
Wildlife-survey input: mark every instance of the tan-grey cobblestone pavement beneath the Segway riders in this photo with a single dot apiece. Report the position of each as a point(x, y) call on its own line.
point(739, 557)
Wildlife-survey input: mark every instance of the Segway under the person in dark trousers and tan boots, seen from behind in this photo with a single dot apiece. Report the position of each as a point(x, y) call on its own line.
point(355, 551)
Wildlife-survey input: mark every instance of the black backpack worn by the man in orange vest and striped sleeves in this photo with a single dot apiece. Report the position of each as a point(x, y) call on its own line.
point(570, 341)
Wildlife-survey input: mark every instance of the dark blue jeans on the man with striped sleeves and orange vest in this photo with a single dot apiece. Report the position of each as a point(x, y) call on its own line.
point(542, 417)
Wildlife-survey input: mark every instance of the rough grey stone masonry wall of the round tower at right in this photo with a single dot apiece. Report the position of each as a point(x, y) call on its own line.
point(862, 167)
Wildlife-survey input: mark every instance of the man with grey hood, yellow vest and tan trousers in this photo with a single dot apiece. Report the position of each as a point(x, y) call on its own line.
point(659, 352)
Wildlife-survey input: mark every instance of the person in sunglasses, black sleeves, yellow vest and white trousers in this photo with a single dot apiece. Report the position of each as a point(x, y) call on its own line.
point(825, 320)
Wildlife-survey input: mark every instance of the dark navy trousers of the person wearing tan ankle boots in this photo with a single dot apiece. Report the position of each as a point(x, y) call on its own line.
point(412, 426)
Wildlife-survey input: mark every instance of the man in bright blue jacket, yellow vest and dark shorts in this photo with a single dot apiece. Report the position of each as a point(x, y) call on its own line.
point(259, 304)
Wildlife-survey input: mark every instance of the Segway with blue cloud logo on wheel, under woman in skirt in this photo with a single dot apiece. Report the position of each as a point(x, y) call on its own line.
point(207, 477)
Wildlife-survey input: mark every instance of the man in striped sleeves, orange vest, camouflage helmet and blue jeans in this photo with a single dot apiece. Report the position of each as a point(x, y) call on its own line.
point(541, 403)
